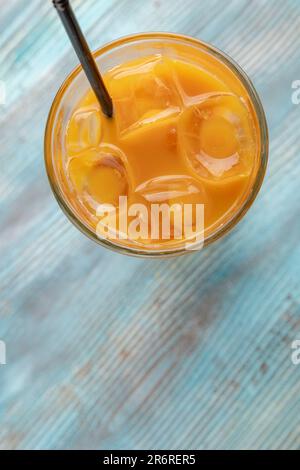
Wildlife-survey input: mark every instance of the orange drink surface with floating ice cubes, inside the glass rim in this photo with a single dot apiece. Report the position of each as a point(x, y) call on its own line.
point(182, 133)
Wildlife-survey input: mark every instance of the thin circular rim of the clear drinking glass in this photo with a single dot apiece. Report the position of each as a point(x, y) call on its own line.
point(263, 151)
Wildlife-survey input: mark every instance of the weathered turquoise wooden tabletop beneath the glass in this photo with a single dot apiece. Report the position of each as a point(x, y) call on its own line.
point(106, 351)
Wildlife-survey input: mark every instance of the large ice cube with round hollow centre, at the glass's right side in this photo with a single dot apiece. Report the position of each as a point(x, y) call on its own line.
point(217, 136)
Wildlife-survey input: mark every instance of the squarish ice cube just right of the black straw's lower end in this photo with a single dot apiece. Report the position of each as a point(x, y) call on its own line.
point(143, 93)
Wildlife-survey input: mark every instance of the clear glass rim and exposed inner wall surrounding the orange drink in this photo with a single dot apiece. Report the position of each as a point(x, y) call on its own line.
point(109, 56)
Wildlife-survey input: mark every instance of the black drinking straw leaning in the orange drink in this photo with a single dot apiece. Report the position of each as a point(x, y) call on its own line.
point(84, 54)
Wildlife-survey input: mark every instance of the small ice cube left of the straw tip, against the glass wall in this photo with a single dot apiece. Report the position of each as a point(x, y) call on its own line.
point(84, 130)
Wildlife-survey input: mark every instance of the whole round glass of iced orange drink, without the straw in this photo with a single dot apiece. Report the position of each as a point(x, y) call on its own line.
point(188, 135)
